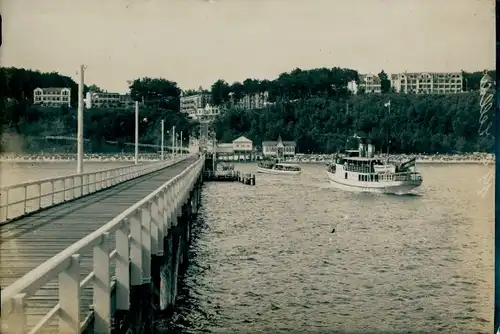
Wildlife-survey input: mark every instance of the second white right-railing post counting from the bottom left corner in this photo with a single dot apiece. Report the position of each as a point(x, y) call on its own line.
point(69, 297)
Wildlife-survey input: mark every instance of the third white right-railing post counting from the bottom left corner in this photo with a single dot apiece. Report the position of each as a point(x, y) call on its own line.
point(102, 289)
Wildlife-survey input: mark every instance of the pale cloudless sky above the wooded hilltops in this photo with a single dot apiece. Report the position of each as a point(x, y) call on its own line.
point(196, 42)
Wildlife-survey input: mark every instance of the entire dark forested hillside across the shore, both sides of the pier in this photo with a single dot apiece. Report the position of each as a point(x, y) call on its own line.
point(312, 107)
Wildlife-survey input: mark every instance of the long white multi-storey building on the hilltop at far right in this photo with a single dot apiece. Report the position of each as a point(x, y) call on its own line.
point(427, 83)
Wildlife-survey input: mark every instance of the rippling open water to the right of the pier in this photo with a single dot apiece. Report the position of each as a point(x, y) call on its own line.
point(264, 260)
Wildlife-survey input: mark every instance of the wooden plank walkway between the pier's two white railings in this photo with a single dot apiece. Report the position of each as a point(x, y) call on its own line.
point(30, 241)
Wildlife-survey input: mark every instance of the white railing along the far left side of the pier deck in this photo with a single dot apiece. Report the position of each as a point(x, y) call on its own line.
point(20, 199)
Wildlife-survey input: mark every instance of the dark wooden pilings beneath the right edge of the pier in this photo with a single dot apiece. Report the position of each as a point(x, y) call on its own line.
point(155, 296)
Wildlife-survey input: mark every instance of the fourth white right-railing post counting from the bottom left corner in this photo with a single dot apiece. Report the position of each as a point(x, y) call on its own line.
point(122, 267)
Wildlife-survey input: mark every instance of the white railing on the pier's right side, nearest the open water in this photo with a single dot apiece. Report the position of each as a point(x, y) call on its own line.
point(138, 233)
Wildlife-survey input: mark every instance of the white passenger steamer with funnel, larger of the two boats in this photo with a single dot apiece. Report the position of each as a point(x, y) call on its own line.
point(358, 170)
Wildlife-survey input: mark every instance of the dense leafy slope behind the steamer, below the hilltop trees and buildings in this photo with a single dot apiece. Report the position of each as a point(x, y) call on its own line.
point(416, 123)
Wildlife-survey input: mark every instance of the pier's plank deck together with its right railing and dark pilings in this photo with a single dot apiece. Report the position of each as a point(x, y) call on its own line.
point(87, 266)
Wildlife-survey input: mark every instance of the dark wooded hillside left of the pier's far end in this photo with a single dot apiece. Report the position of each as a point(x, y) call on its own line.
point(159, 100)
